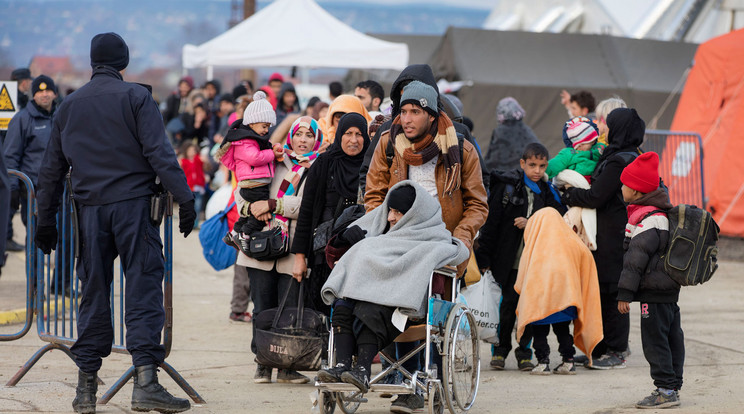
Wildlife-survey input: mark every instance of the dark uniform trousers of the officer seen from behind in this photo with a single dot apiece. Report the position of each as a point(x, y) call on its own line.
point(122, 229)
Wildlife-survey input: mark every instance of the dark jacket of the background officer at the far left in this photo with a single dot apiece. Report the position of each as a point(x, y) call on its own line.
point(28, 135)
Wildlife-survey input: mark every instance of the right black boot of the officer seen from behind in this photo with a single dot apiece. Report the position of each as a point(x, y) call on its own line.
point(149, 395)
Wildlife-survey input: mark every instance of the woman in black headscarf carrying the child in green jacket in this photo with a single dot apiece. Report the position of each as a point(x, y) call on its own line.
point(626, 132)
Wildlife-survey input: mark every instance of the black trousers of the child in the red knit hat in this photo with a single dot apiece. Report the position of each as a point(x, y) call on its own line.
point(663, 343)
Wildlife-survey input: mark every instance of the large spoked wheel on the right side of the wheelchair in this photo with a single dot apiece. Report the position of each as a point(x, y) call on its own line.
point(461, 370)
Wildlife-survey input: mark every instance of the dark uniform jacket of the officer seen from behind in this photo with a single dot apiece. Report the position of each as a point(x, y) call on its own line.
point(112, 135)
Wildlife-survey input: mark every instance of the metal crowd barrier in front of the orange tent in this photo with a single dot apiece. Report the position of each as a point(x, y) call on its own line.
point(680, 164)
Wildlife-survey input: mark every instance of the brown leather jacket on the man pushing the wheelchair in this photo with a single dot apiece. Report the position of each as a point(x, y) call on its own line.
point(464, 212)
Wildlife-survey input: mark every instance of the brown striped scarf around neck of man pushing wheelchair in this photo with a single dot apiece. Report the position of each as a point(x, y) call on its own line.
point(440, 139)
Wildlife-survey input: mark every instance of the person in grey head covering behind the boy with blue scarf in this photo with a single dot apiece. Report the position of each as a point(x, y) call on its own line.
point(509, 138)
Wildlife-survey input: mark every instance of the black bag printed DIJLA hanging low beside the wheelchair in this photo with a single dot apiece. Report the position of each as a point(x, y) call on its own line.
point(291, 338)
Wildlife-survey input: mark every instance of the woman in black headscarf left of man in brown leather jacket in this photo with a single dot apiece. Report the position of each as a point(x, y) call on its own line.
point(331, 186)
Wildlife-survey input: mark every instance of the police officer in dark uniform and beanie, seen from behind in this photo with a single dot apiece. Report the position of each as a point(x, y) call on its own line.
point(111, 133)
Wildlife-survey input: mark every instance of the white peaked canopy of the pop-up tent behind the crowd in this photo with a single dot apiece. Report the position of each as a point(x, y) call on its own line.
point(295, 33)
